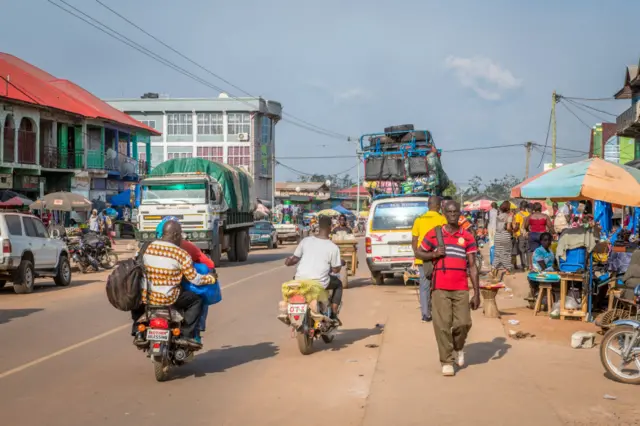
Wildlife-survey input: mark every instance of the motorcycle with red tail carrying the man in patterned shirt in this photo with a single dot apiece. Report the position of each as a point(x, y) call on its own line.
point(158, 334)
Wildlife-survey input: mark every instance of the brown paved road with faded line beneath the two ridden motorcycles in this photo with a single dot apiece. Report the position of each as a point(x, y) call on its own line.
point(66, 358)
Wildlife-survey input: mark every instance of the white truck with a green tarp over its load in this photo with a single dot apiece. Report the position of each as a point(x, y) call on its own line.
point(214, 202)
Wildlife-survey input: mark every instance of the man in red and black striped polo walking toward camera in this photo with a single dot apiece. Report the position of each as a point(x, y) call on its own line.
point(450, 298)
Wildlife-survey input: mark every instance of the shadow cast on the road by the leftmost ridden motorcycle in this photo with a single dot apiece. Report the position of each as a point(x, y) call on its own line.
point(219, 360)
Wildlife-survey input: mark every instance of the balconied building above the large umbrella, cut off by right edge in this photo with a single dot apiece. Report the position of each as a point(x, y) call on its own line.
point(628, 123)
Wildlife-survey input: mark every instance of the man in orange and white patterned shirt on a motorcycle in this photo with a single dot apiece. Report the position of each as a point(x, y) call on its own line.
point(166, 263)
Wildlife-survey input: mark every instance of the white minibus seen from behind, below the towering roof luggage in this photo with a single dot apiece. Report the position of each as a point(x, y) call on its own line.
point(388, 234)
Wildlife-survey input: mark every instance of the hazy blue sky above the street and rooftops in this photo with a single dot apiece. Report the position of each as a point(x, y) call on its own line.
point(474, 73)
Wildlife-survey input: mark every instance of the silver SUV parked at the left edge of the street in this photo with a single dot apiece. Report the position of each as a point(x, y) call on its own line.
point(29, 252)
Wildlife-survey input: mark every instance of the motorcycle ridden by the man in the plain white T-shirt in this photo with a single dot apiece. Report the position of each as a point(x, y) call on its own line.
point(308, 321)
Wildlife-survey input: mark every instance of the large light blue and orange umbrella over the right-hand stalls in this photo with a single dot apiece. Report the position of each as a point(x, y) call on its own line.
point(592, 179)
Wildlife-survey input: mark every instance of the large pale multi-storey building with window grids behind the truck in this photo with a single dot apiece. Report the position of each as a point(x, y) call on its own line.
point(236, 131)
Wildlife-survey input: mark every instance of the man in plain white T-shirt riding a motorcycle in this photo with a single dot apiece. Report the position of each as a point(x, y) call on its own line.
point(317, 257)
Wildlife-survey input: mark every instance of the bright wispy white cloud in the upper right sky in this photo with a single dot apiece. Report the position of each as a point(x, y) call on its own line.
point(486, 78)
